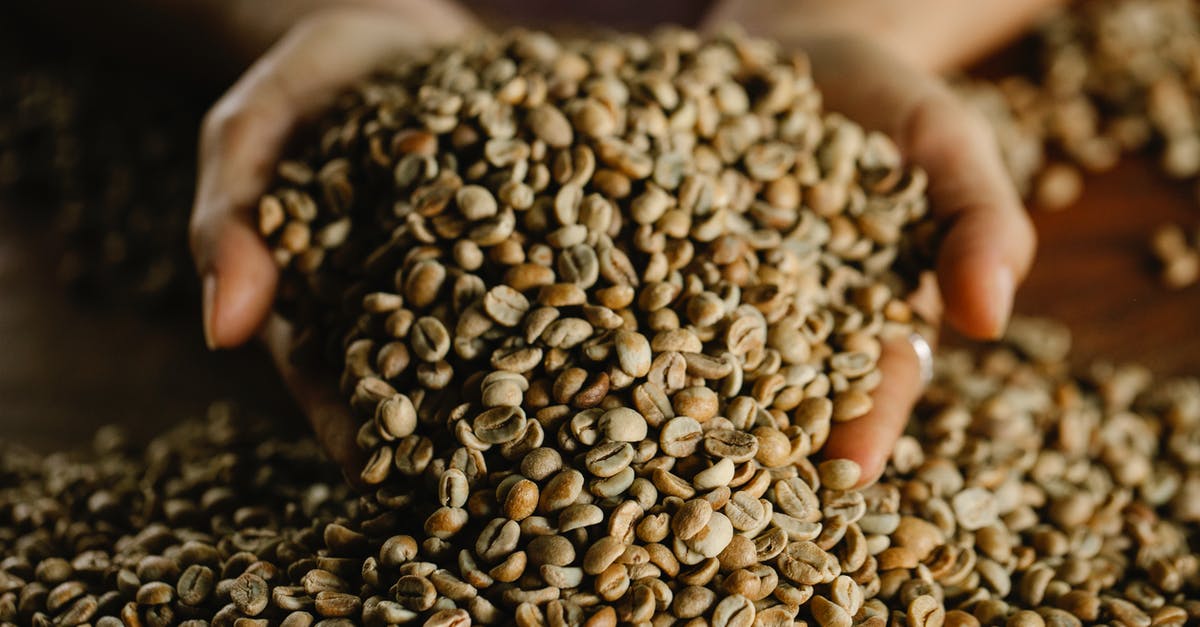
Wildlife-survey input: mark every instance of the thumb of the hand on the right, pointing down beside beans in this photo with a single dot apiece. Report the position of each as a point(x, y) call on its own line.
point(989, 243)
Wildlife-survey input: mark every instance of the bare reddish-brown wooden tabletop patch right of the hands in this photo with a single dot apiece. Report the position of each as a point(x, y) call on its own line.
point(1095, 272)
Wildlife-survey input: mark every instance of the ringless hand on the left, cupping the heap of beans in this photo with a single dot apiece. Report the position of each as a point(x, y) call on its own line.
point(241, 142)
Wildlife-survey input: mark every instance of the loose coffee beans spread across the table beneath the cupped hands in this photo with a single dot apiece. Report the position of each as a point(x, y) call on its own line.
point(1023, 497)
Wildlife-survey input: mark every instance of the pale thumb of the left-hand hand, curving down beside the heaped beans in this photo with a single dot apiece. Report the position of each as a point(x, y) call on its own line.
point(243, 136)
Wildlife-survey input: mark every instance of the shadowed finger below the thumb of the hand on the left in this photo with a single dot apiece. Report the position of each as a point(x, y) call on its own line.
point(328, 414)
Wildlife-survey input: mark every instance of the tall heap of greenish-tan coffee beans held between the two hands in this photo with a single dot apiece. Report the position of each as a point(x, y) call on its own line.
point(598, 303)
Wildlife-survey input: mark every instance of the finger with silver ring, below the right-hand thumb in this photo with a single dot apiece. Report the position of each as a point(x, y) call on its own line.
point(871, 439)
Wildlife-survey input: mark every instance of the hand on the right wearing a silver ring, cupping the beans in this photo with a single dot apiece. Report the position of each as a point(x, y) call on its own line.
point(988, 243)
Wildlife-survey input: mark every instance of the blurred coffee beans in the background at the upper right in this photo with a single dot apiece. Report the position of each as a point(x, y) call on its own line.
point(1115, 77)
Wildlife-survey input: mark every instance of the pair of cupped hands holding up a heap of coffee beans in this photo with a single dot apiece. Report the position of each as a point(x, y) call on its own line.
point(986, 252)
